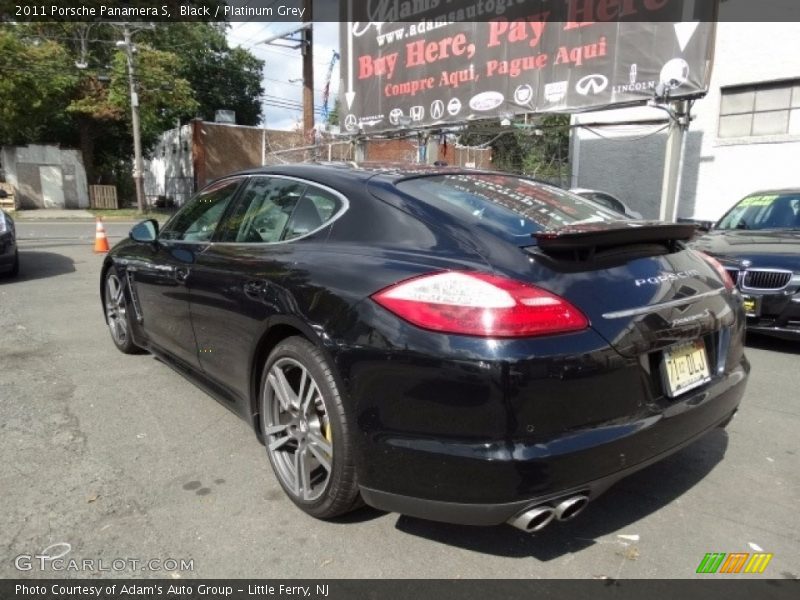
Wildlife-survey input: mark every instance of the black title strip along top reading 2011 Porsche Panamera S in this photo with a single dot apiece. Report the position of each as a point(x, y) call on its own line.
point(396, 11)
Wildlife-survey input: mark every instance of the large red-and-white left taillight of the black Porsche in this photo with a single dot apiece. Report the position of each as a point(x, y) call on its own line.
point(479, 304)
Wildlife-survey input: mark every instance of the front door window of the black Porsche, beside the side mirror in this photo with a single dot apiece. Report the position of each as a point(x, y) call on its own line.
point(197, 221)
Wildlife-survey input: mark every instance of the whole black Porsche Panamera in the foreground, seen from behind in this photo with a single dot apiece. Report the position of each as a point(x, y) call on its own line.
point(464, 346)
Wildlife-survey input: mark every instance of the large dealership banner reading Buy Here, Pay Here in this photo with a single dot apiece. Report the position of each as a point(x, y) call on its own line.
point(447, 64)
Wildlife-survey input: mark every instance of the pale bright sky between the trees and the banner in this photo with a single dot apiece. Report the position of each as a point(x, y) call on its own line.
point(283, 69)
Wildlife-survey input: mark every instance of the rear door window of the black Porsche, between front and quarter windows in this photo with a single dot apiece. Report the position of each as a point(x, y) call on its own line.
point(263, 211)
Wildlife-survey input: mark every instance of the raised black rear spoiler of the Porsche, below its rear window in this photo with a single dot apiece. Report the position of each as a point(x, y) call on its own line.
point(597, 236)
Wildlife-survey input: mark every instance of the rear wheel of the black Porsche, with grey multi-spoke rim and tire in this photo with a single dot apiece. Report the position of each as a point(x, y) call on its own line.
point(306, 430)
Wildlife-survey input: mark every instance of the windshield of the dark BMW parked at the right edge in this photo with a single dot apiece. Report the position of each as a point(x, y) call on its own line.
point(764, 211)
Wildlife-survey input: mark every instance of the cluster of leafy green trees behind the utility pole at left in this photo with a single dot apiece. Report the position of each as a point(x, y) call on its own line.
point(67, 83)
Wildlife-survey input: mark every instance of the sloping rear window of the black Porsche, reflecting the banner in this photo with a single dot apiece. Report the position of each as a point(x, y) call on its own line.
point(512, 206)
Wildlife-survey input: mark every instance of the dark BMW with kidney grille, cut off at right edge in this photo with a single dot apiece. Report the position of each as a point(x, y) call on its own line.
point(758, 242)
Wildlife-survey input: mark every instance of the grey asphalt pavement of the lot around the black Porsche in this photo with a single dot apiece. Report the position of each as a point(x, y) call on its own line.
point(108, 457)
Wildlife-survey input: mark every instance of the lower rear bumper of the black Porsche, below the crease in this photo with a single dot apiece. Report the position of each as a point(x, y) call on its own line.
point(588, 461)
